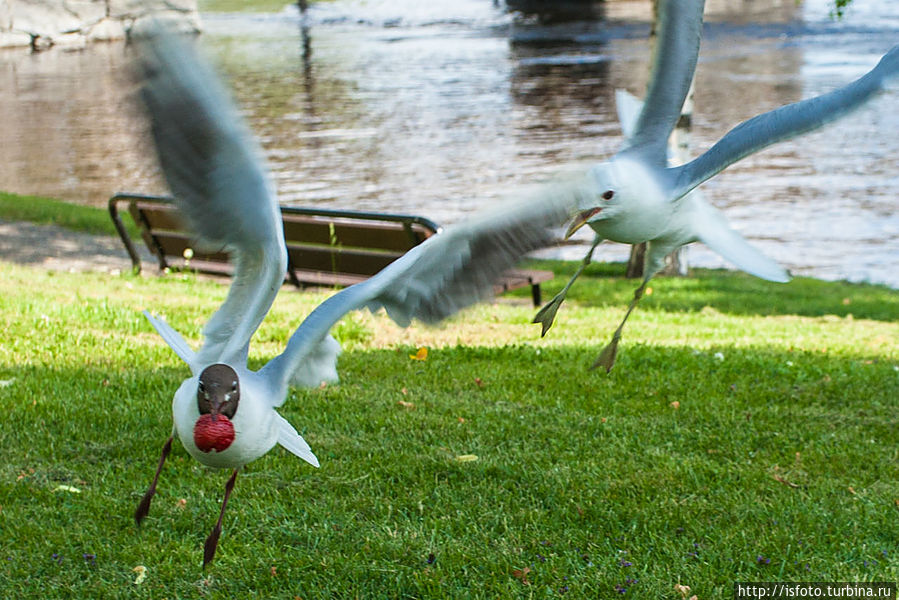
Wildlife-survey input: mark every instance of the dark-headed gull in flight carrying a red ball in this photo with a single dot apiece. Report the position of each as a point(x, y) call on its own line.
point(225, 414)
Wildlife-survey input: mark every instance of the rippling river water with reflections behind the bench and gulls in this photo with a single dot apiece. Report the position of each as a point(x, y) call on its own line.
point(438, 108)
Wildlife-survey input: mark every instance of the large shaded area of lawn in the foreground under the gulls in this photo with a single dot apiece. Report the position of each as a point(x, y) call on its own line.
point(583, 476)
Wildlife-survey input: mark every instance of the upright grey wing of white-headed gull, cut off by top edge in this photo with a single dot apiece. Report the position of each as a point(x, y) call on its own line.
point(676, 50)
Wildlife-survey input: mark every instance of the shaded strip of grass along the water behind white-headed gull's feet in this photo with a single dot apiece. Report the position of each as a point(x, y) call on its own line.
point(726, 291)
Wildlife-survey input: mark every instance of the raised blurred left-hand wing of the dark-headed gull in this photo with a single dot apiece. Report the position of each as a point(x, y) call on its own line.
point(214, 170)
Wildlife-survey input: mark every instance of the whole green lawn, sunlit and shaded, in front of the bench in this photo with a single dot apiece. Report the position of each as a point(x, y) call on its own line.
point(783, 446)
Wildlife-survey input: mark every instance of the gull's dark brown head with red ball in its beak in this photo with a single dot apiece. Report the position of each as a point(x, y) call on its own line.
point(218, 396)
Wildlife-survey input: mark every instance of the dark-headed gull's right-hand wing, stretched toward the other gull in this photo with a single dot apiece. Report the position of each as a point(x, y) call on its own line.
point(446, 273)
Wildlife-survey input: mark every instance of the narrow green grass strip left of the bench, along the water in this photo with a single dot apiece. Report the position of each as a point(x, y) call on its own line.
point(47, 211)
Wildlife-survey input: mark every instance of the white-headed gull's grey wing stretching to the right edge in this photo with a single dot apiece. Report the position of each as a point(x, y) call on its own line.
point(786, 122)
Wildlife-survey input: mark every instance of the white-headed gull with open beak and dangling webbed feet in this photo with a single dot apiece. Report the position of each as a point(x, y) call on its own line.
point(636, 197)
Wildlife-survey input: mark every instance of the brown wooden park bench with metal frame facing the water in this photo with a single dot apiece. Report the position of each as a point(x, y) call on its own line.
point(324, 247)
